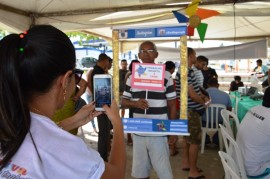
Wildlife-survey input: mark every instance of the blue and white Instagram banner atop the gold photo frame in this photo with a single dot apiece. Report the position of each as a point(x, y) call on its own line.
point(174, 31)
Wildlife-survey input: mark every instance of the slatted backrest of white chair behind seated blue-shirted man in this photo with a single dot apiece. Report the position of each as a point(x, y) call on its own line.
point(212, 115)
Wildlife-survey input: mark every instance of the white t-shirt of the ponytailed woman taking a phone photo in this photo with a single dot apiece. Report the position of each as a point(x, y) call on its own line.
point(63, 155)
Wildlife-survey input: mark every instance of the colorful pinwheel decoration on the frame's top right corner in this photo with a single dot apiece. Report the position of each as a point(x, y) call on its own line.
point(195, 15)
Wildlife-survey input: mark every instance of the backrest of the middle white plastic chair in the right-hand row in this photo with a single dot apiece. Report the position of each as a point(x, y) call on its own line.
point(233, 150)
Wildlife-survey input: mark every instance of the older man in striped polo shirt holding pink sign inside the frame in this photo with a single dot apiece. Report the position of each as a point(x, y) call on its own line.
point(150, 100)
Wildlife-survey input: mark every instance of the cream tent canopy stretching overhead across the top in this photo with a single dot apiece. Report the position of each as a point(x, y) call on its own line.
point(242, 20)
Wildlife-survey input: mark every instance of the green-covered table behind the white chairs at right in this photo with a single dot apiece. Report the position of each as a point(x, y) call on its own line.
point(244, 103)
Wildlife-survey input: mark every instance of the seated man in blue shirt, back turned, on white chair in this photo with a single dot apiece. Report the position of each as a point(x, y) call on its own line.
point(217, 97)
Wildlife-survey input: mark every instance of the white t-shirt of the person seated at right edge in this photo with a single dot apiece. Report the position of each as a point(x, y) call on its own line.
point(253, 139)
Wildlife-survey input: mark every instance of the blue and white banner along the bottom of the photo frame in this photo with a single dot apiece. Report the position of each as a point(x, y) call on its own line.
point(155, 126)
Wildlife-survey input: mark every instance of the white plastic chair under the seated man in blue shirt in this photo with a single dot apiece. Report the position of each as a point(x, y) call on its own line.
point(212, 115)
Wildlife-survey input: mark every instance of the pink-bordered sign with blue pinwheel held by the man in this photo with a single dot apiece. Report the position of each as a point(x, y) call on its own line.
point(148, 76)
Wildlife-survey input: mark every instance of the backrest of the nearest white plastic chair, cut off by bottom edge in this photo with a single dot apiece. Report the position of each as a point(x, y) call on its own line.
point(229, 166)
